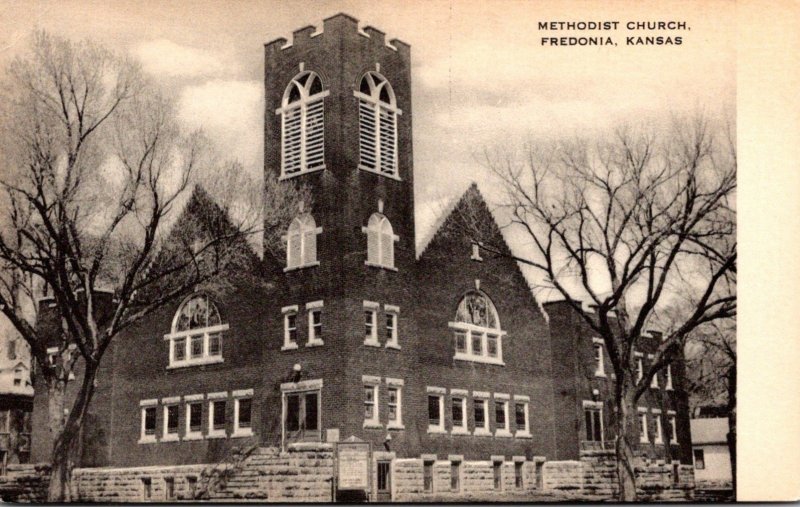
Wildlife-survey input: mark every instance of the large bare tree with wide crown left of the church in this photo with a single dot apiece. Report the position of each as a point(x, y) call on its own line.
point(96, 180)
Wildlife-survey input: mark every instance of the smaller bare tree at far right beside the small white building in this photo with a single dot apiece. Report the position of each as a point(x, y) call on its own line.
point(712, 374)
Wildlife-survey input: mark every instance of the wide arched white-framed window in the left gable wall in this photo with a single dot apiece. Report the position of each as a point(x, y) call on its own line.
point(196, 336)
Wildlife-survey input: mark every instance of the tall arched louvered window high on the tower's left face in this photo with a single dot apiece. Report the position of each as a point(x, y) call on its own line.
point(302, 125)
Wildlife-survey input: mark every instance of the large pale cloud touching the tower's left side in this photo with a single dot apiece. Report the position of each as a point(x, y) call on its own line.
point(231, 113)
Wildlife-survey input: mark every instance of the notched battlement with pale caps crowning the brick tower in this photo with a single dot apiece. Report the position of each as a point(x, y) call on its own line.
point(339, 24)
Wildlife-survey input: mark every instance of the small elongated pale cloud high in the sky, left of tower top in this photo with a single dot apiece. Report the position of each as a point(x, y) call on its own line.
point(162, 57)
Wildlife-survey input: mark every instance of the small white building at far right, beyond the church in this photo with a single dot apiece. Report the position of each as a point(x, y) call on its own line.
point(710, 452)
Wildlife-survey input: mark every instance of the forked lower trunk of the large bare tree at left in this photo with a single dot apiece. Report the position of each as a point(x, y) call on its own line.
point(67, 444)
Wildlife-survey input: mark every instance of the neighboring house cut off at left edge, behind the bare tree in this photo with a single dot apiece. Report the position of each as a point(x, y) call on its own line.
point(16, 397)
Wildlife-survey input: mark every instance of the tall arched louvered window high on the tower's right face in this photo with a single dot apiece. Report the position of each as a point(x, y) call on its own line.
point(377, 125)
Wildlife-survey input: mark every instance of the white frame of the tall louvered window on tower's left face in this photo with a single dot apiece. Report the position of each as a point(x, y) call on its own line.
point(303, 104)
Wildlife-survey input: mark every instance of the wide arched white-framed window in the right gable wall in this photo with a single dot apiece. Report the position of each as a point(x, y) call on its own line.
point(476, 329)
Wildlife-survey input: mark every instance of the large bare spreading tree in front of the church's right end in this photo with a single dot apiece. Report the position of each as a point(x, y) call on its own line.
point(625, 223)
